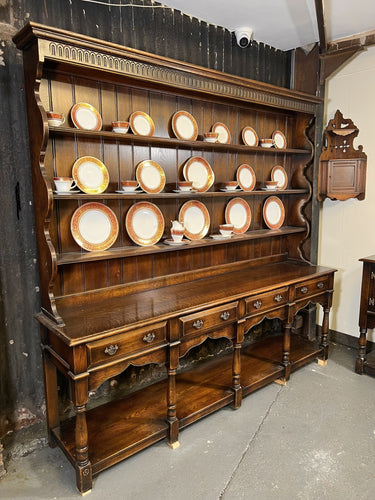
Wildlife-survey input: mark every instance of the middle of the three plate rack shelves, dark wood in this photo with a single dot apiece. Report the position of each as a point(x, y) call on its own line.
point(147, 196)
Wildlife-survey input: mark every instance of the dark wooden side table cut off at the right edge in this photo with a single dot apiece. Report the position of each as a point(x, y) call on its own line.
point(365, 362)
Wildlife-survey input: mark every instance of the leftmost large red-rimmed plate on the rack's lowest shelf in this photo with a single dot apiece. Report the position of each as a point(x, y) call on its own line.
point(94, 226)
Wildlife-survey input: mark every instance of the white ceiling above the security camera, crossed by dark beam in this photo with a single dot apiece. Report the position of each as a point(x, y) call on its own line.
point(284, 24)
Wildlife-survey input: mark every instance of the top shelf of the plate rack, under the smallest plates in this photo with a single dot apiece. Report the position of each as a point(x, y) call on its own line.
point(167, 142)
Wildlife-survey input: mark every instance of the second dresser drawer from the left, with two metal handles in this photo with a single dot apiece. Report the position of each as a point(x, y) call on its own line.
point(211, 318)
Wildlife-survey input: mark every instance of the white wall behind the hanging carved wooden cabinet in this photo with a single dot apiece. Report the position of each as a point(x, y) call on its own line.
point(347, 228)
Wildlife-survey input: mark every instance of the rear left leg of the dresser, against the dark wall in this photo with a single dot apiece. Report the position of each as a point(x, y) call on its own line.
point(50, 387)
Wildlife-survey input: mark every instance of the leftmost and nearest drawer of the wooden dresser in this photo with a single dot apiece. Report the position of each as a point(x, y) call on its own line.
point(122, 344)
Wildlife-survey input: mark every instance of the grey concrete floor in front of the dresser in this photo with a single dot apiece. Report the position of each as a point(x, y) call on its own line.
point(312, 439)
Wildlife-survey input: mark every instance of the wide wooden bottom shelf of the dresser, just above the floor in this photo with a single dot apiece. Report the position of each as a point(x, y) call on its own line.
point(121, 428)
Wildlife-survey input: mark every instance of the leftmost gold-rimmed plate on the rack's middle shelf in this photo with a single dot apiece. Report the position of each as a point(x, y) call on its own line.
point(90, 174)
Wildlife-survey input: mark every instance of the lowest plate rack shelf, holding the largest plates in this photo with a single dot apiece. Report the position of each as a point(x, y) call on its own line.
point(131, 251)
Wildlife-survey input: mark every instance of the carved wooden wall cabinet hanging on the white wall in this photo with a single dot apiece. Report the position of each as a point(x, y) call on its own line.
point(342, 168)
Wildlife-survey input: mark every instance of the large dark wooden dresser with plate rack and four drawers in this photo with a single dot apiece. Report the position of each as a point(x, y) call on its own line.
point(132, 305)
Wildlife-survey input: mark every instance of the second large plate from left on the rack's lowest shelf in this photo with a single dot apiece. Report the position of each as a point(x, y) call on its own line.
point(144, 223)
